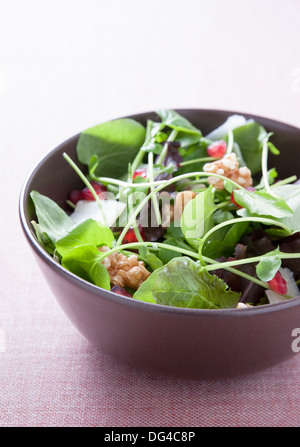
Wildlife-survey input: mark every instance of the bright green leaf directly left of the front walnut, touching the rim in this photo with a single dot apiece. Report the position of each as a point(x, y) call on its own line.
point(84, 261)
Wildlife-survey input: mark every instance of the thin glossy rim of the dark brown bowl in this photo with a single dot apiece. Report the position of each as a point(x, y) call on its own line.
point(127, 301)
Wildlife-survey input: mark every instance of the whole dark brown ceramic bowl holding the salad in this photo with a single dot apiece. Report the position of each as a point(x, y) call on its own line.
point(161, 340)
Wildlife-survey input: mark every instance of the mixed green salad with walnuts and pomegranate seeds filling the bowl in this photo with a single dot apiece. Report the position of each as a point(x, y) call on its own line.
point(170, 216)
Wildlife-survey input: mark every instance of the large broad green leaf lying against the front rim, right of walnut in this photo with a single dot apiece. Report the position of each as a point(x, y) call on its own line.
point(183, 283)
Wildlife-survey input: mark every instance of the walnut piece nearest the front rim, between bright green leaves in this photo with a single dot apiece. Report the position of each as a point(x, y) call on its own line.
point(125, 271)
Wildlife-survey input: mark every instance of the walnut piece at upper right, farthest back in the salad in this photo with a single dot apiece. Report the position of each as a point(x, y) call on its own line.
point(228, 167)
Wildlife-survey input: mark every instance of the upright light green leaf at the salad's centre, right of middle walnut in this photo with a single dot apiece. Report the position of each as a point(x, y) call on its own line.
point(197, 216)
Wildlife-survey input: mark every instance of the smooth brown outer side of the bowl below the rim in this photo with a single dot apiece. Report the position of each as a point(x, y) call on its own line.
point(194, 345)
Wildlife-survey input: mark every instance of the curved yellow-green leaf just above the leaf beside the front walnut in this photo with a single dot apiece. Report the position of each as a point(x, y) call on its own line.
point(89, 231)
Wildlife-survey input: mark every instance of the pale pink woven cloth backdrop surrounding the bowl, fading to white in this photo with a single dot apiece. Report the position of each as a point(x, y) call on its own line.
point(66, 66)
